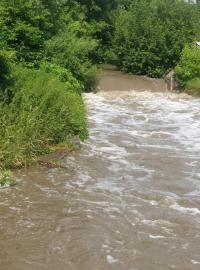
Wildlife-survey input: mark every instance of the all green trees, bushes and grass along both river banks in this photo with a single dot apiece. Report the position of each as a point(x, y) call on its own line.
point(49, 52)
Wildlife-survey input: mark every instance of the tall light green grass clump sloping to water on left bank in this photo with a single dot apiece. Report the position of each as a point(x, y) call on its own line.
point(42, 113)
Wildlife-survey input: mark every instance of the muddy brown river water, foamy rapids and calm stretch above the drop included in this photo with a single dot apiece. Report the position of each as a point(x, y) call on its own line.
point(129, 198)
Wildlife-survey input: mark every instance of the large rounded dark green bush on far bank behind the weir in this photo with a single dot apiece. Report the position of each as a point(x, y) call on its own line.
point(150, 35)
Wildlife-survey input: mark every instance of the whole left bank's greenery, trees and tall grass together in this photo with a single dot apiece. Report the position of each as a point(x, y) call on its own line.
point(45, 64)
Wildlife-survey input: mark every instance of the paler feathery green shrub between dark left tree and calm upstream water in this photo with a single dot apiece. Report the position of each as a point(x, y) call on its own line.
point(73, 53)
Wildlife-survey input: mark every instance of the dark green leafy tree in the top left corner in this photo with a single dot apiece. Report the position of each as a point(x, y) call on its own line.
point(20, 22)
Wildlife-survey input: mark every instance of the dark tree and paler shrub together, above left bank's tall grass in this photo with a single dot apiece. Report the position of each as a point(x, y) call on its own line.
point(56, 32)
